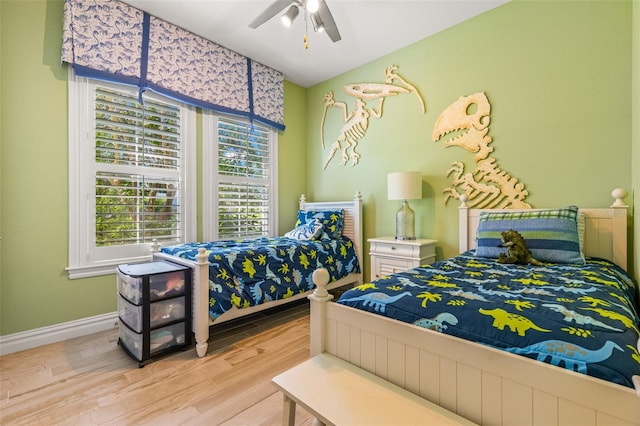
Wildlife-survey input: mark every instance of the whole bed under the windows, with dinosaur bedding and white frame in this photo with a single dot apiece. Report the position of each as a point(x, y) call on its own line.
point(232, 279)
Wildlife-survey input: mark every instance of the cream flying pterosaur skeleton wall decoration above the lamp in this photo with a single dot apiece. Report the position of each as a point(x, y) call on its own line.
point(356, 123)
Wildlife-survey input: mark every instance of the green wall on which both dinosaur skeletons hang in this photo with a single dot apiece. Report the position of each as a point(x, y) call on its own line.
point(558, 77)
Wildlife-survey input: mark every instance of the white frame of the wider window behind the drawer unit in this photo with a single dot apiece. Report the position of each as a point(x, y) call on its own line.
point(85, 259)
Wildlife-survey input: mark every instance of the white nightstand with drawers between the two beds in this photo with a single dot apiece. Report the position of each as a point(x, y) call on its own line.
point(389, 255)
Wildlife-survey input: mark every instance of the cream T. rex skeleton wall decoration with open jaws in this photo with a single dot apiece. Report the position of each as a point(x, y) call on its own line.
point(486, 186)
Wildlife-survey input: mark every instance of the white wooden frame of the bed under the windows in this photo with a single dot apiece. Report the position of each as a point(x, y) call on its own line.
point(201, 319)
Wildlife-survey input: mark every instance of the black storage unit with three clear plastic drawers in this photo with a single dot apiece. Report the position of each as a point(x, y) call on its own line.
point(154, 307)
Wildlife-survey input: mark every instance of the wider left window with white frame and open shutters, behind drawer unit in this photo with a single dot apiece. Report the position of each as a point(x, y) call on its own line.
point(130, 175)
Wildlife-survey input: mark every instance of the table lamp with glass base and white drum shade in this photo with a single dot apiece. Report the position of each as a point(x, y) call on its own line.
point(405, 186)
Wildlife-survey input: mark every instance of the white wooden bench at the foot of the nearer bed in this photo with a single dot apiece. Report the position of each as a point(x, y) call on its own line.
point(339, 393)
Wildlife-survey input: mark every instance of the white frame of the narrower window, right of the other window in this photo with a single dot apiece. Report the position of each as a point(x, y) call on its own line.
point(210, 177)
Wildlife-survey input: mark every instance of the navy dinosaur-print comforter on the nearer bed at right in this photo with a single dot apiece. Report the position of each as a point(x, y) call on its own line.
point(580, 317)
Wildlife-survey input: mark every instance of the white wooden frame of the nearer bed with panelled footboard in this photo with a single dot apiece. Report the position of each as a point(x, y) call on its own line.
point(482, 384)
